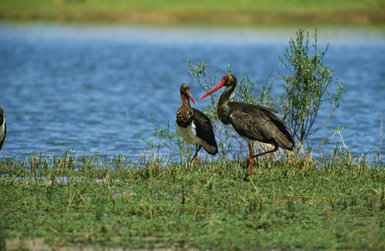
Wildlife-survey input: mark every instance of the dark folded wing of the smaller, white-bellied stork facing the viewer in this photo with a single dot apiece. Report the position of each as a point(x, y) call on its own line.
point(204, 128)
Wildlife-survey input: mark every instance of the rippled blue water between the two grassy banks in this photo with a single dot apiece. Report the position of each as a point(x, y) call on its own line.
point(92, 89)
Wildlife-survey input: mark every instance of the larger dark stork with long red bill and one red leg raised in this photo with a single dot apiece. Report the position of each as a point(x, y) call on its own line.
point(252, 122)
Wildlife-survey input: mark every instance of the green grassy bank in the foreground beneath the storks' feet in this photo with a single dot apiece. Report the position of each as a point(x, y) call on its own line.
point(292, 202)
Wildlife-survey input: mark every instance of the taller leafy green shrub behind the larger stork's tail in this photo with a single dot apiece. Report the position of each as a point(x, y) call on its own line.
point(306, 86)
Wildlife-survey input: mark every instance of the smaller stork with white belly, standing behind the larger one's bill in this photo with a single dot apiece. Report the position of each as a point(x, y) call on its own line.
point(194, 126)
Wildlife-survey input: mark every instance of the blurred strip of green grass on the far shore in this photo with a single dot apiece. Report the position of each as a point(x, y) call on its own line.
point(227, 12)
